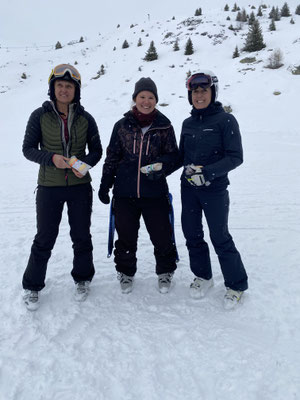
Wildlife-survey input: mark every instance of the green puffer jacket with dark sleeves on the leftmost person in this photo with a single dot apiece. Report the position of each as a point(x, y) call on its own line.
point(45, 137)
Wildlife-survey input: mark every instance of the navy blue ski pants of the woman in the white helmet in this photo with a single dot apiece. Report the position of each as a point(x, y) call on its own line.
point(215, 206)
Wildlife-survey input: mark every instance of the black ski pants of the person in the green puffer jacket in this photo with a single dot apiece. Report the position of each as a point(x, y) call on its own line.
point(49, 207)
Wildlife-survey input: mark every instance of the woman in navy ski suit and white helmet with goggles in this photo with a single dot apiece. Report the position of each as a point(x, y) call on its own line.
point(210, 147)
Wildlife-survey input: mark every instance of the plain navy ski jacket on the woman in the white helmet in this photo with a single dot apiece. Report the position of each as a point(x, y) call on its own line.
point(211, 138)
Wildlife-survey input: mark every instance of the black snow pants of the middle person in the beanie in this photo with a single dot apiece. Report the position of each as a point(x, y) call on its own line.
point(155, 212)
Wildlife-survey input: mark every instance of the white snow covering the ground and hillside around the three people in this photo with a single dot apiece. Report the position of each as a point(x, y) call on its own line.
point(146, 345)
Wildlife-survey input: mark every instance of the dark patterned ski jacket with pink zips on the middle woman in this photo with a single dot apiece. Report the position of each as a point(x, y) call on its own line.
point(130, 149)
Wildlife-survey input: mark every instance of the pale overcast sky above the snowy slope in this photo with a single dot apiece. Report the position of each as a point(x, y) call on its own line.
point(43, 22)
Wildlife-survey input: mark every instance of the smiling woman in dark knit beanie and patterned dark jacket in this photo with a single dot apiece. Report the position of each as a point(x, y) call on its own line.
point(141, 153)
